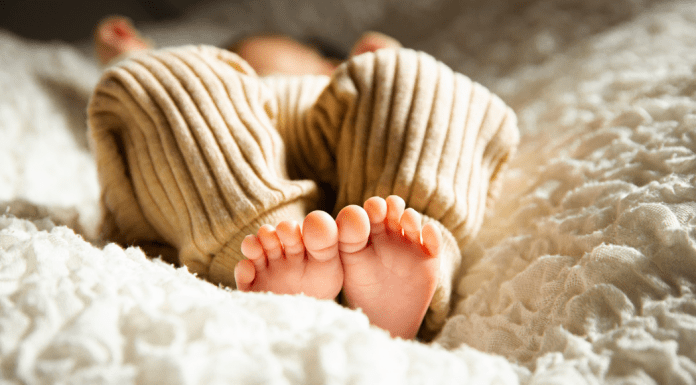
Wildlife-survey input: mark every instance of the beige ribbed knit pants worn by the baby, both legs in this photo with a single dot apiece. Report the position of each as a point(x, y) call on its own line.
point(195, 151)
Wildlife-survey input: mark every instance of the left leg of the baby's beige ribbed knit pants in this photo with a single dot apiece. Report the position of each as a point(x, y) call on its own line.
point(187, 154)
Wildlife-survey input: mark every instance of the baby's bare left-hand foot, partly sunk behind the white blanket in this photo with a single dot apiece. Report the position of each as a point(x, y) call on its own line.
point(287, 260)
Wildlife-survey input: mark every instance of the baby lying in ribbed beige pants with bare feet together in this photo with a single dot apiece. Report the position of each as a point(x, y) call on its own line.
point(196, 151)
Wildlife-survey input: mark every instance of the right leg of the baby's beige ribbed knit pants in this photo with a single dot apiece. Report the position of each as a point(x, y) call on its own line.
point(399, 122)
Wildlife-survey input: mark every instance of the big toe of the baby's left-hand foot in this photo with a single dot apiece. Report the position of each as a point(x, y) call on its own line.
point(320, 235)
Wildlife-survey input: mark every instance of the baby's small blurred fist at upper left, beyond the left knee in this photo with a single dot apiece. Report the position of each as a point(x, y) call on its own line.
point(115, 36)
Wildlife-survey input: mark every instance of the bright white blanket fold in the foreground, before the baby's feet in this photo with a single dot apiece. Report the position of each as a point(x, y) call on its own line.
point(77, 314)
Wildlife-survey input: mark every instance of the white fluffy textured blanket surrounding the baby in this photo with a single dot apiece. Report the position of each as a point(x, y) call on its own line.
point(584, 272)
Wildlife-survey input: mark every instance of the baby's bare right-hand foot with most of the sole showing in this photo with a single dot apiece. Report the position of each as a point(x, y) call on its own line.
point(390, 263)
